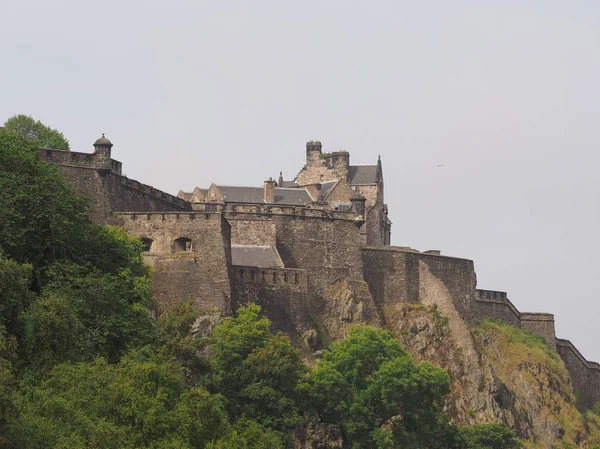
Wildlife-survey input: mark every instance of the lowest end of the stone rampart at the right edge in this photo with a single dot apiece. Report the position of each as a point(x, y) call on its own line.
point(585, 375)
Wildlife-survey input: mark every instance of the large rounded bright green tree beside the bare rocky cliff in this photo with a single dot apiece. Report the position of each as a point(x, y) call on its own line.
point(369, 386)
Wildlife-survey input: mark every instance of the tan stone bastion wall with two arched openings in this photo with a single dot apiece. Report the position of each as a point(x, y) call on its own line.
point(191, 256)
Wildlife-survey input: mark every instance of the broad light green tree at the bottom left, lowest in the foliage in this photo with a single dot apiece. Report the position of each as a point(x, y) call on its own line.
point(142, 402)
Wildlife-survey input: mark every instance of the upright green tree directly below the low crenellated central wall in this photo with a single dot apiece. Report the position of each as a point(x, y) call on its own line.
point(257, 371)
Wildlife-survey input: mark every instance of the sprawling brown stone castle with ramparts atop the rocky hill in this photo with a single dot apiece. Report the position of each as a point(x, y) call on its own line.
point(286, 244)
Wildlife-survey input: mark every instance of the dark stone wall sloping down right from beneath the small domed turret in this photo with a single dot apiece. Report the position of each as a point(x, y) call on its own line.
point(99, 178)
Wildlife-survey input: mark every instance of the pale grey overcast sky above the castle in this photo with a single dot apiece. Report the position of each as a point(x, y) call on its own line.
point(505, 94)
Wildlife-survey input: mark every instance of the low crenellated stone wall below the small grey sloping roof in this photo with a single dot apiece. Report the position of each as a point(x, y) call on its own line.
point(281, 293)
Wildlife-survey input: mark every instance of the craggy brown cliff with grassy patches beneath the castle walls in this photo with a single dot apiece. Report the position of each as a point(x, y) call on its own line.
point(499, 373)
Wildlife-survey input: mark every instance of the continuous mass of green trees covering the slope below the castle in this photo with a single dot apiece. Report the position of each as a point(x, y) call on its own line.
point(84, 365)
